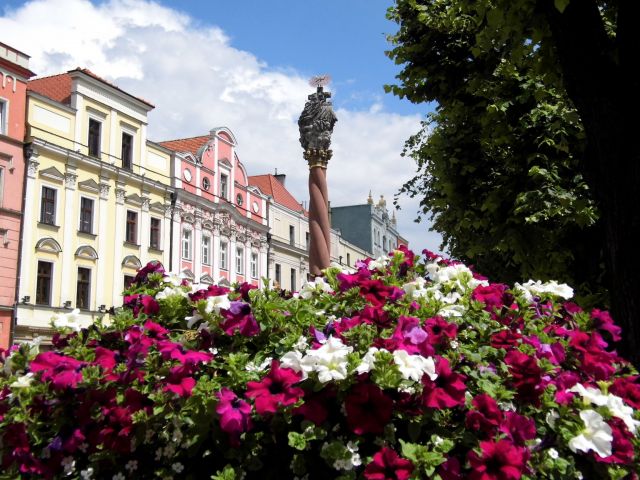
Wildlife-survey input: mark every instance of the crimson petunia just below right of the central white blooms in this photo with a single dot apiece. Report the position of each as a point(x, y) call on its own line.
point(447, 391)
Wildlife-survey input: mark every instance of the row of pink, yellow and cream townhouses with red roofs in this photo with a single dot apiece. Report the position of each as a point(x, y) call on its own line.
point(86, 198)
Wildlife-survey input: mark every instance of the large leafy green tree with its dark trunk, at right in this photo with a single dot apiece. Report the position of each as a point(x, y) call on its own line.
point(529, 164)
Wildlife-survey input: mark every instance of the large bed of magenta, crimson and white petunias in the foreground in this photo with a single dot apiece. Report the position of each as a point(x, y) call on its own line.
point(404, 368)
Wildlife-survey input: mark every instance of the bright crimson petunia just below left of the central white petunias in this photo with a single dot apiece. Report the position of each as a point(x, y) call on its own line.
point(275, 390)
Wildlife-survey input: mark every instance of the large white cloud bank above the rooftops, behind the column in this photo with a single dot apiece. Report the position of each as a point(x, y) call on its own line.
point(198, 81)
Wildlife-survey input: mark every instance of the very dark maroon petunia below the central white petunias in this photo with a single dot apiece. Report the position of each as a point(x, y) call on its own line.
point(368, 409)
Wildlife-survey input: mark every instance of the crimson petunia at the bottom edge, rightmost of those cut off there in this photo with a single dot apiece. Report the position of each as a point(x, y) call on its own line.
point(499, 460)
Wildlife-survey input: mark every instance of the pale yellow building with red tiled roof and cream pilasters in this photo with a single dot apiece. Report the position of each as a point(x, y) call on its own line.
point(97, 199)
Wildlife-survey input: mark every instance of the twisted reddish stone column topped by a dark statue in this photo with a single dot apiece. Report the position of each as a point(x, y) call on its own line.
point(316, 126)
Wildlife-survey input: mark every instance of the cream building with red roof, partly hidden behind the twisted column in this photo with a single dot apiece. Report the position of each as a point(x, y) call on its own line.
point(289, 236)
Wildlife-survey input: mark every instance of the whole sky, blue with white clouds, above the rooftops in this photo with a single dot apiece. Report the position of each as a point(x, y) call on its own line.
point(245, 65)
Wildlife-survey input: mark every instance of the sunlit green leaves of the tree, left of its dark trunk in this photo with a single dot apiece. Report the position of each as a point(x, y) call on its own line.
point(498, 159)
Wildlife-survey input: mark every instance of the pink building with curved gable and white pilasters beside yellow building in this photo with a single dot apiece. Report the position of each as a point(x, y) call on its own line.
point(220, 222)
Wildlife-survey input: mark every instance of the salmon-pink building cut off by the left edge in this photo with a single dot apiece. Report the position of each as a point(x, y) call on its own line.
point(14, 73)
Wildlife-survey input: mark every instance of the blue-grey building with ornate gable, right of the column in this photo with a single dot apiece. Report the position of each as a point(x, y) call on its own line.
point(368, 226)
